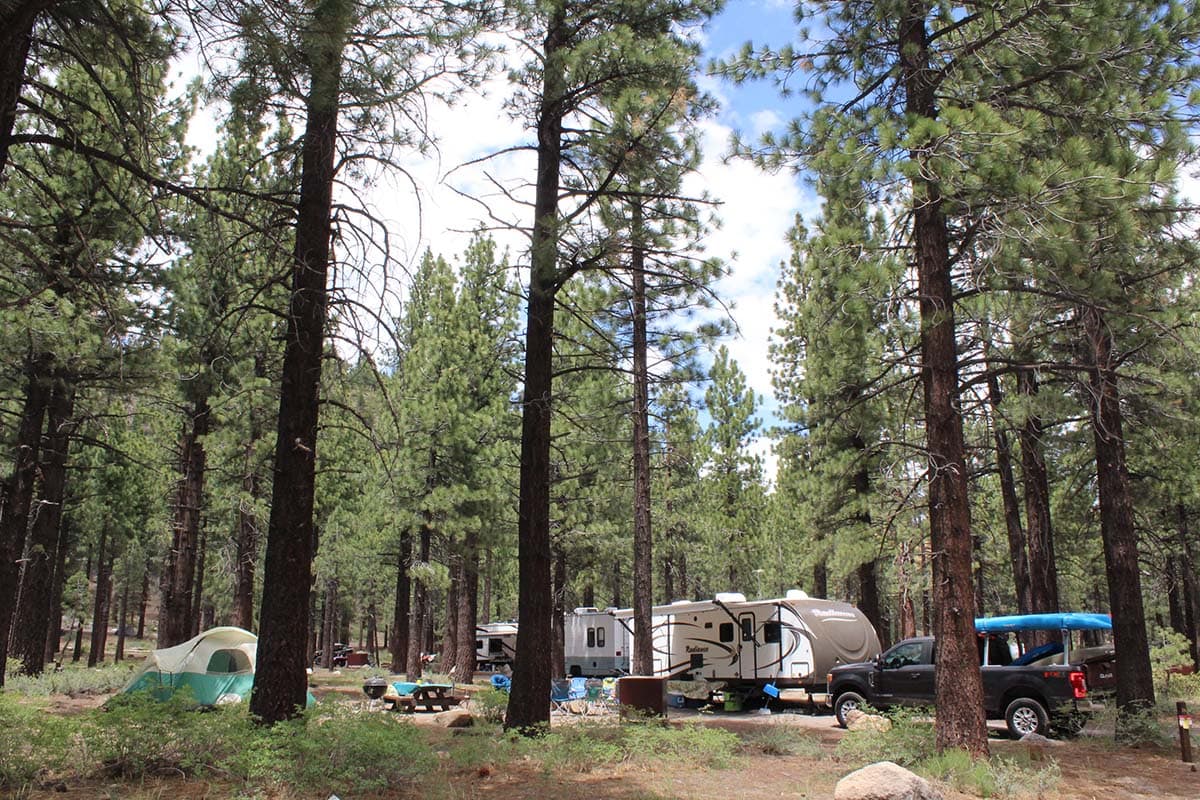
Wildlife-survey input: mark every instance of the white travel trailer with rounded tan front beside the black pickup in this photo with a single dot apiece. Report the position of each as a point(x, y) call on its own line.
point(790, 642)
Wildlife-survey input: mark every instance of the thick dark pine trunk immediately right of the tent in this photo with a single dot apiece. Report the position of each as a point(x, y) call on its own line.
point(281, 684)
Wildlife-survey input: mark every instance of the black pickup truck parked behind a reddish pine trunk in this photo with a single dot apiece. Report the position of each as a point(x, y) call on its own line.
point(1029, 699)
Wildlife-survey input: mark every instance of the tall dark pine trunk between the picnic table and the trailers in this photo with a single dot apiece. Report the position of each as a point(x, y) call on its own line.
point(529, 708)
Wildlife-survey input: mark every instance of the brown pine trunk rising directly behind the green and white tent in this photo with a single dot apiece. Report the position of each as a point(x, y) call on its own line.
point(176, 619)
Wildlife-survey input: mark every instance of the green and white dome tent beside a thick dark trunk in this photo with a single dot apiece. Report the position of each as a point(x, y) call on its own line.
point(218, 666)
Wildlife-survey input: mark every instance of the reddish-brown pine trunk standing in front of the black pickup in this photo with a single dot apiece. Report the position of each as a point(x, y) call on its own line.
point(959, 687)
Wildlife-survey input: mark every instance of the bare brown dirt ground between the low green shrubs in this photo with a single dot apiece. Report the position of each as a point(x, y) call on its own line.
point(1091, 769)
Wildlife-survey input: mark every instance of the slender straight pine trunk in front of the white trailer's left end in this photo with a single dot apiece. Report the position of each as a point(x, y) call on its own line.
point(644, 590)
